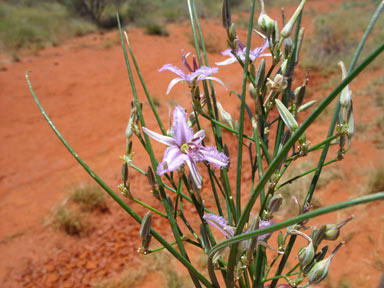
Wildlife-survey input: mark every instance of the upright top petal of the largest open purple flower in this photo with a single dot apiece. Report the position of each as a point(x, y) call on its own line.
point(181, 131)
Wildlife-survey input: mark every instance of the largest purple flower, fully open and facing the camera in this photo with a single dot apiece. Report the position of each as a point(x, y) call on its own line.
point(185, 147)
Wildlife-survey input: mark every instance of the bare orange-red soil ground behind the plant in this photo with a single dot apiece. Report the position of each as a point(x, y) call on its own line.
point(84, 87)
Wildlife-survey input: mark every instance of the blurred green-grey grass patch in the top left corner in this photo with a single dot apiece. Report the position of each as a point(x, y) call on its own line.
point(36, 26)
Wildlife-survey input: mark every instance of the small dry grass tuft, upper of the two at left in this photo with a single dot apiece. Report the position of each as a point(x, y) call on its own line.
point(90, 197)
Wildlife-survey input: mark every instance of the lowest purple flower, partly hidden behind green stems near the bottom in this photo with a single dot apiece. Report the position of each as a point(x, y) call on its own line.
point(220, 223)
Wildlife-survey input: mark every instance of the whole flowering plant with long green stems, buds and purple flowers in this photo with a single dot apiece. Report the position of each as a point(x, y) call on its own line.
point(247, 229)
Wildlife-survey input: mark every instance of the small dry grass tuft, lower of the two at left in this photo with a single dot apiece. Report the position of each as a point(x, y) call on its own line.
point(70, 221)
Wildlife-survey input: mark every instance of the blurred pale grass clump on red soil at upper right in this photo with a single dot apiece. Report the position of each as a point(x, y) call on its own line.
point(336, 36)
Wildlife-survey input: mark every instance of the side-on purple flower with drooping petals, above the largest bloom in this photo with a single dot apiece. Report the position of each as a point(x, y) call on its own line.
point(193, 75)
